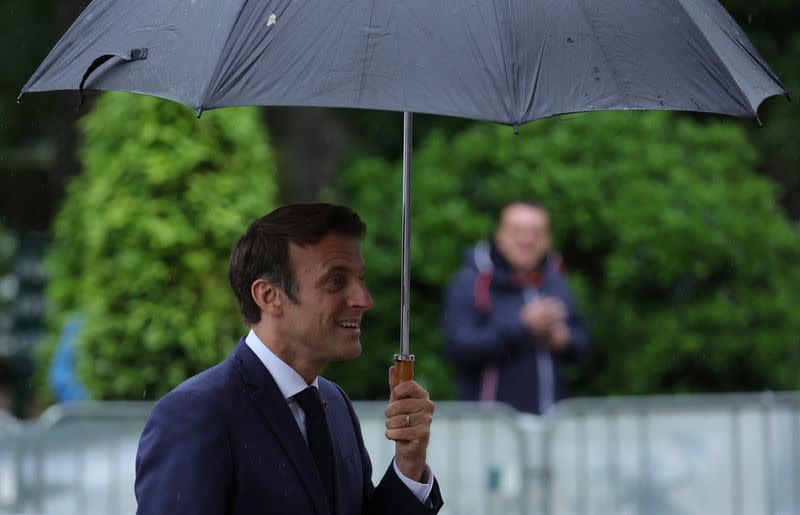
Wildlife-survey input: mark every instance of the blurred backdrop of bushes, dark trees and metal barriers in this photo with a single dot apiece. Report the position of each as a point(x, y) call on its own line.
point(679, 232)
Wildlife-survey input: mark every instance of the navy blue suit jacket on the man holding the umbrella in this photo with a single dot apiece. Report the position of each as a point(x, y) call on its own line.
point(226, 442)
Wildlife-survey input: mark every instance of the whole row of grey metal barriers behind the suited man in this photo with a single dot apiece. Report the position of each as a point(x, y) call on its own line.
point(682, 455)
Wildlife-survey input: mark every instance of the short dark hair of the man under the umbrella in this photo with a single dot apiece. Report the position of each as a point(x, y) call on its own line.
point(263, 251)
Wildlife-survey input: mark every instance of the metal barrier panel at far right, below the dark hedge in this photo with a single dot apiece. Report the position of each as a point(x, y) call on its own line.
point(736, 454)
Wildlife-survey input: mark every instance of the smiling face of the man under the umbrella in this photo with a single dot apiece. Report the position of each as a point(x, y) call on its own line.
point(325, 324)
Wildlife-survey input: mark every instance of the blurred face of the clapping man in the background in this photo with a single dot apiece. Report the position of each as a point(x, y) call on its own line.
point(523, 235)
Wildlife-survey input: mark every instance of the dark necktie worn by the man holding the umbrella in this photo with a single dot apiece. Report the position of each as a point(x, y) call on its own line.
point(319, 439)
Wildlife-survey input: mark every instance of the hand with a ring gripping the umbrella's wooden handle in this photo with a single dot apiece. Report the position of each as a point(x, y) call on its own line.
point(408, 424)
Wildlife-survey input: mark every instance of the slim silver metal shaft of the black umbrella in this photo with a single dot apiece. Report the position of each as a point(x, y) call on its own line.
point(405, 285)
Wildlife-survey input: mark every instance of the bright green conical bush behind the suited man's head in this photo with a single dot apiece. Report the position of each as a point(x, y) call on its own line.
point(142, 243)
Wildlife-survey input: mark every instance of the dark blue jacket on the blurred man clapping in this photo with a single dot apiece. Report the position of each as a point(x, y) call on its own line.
point(497, 357)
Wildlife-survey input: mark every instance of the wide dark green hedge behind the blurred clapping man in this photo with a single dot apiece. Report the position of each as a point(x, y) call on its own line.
point(680, 257)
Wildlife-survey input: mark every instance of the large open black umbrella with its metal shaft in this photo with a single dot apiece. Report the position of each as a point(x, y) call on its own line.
point(507, 61)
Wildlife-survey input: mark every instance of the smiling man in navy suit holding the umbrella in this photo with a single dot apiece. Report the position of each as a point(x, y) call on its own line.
point(262, 432)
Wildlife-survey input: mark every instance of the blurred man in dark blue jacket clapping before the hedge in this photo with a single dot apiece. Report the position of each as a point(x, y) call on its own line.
point(509, 317)
